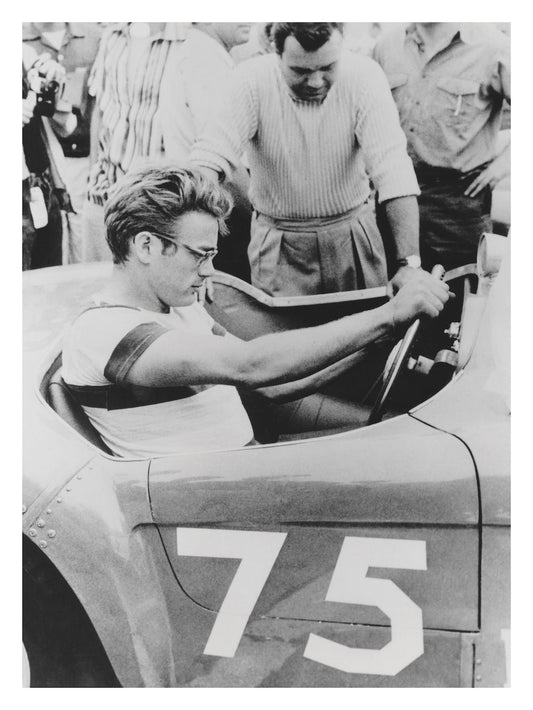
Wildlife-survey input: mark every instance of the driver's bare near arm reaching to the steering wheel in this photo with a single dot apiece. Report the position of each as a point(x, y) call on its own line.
point(174, 359)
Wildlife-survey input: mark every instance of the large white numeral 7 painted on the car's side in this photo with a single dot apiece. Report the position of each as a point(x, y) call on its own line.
point(258, 552)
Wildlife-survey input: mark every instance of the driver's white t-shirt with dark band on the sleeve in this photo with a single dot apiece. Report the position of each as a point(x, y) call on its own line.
point(99, 349)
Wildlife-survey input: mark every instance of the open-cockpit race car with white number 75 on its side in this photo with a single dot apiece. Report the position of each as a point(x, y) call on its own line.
point(376, 556)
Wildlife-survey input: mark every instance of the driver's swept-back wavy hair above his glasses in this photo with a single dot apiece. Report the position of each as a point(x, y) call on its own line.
point(151, 198)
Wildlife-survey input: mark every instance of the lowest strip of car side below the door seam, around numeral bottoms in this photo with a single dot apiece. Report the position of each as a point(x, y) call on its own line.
point(272, 655)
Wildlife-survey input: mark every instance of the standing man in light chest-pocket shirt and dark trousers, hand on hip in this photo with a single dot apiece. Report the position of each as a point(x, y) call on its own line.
point(449, 81)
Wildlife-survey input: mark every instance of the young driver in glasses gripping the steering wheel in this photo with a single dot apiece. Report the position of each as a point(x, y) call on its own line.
point(154, 372)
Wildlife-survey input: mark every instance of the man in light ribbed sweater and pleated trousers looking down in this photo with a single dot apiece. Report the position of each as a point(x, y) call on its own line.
point(316, 121)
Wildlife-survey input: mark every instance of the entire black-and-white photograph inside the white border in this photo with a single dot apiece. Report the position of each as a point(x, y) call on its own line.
point(266, 290)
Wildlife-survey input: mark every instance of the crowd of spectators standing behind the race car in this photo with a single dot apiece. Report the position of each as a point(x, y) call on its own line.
point(332, 189)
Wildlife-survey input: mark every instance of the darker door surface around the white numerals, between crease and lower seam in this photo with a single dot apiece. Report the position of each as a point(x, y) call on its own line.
point(447, 592)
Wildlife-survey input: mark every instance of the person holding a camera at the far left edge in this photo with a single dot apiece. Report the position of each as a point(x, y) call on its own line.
point(43, 191)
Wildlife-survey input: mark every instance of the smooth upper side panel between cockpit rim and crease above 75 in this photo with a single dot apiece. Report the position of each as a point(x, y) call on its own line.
point(357, 476)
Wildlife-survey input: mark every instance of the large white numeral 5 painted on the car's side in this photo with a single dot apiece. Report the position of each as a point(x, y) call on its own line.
point(350, 585)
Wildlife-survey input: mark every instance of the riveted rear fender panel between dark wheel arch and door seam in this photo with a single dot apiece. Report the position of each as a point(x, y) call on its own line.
point(96, 532)
